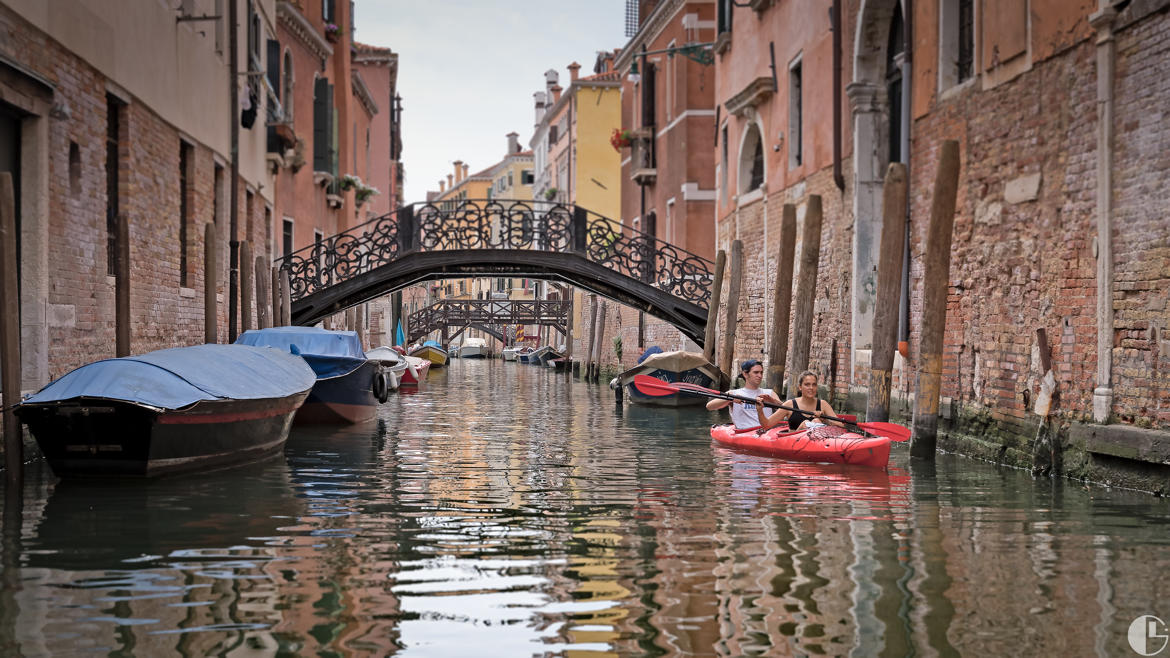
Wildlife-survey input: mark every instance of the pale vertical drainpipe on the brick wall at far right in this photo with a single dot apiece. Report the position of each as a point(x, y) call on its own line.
point(1107, 54)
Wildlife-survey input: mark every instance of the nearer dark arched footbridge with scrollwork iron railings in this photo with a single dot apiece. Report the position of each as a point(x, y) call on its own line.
point(500, 238)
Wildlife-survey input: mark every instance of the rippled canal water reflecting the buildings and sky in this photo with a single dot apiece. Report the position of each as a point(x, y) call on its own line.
point(505, 510)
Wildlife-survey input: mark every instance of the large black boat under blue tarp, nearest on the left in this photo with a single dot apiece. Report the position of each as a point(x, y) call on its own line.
point(169, 412)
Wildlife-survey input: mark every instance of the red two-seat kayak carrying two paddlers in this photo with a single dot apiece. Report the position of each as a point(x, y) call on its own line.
point(823, 444)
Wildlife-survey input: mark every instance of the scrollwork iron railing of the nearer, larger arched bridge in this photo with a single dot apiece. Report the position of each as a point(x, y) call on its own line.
point(499, 225)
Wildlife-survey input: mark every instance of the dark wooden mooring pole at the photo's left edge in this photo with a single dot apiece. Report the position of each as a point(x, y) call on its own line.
point(10, 338)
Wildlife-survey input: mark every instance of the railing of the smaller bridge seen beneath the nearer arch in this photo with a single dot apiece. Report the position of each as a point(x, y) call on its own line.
point(460, 313)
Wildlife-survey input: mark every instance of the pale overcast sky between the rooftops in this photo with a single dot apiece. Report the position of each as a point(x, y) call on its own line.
point(467, 71)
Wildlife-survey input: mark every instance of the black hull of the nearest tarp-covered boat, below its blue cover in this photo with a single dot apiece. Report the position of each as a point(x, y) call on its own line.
point(92, 437)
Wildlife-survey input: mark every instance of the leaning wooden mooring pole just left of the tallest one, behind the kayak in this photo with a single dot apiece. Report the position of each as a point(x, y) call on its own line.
point(890, 291)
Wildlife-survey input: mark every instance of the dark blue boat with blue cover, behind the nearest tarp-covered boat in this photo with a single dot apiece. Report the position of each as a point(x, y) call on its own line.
point(349, 385)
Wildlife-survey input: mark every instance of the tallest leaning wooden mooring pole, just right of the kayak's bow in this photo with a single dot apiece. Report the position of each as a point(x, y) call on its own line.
point(935, 282)
